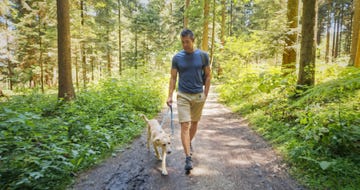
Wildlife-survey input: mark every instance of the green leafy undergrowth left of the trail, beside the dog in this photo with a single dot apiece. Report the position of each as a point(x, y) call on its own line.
point(43, 142)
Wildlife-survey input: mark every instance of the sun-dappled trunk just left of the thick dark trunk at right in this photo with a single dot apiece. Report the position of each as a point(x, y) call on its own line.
point(289, 54)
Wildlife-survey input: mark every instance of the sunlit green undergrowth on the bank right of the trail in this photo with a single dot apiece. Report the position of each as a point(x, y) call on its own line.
point(317, 130)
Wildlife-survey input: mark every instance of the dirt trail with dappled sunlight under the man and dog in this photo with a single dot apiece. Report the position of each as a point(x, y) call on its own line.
point(227, 155)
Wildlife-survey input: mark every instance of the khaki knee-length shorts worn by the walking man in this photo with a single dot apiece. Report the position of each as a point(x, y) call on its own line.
point(190, 106)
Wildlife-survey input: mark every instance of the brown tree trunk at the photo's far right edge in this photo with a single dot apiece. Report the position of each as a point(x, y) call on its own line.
point(355, 31)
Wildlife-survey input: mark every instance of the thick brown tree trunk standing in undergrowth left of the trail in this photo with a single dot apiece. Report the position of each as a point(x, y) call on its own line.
point(66, 89)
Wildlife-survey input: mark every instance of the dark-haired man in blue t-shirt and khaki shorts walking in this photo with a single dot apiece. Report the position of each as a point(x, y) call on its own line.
point(189, 63)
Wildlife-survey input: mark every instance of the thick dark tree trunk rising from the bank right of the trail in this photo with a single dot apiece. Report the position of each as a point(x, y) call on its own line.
point(306, 75)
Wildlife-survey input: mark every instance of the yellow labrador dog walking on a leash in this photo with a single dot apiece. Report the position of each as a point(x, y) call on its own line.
point(157, 136)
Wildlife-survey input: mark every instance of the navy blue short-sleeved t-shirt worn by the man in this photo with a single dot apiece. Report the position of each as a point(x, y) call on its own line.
point(189, 67)
